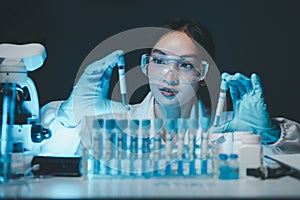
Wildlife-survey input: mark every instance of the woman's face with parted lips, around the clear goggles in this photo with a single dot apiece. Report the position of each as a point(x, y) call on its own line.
point(167, 85)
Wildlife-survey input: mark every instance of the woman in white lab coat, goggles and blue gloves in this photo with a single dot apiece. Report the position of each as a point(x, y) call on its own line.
point(176, 67)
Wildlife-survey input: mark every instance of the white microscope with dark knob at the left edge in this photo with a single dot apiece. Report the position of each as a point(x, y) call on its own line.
point(19, 102)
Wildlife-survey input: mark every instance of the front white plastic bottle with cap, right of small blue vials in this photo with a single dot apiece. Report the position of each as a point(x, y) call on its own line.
point(250, 153)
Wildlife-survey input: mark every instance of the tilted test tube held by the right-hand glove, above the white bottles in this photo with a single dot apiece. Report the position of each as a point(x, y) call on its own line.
point(221, 102)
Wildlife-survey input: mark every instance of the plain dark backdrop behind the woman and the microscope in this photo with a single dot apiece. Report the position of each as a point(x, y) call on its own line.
point(259, 36)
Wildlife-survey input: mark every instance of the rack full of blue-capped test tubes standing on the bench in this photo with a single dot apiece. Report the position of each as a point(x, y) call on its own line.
point(142, 157)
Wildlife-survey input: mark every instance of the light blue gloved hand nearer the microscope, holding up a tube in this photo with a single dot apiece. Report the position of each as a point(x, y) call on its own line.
point(90, 94)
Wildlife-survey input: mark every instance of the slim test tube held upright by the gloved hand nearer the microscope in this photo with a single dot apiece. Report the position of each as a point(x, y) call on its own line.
point(122, 80)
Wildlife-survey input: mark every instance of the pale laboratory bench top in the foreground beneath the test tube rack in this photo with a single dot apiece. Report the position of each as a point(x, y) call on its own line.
point(109, 187)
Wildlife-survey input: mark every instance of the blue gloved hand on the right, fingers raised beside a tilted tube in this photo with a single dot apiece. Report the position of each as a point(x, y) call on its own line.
point(249, 108)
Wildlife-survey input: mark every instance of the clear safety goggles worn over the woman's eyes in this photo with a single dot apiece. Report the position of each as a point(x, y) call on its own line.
point(189, 69)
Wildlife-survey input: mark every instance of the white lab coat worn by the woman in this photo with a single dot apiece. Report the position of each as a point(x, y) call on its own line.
point(66, 141)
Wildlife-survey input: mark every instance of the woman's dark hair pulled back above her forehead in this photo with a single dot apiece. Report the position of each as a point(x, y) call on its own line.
point(196, 31)
